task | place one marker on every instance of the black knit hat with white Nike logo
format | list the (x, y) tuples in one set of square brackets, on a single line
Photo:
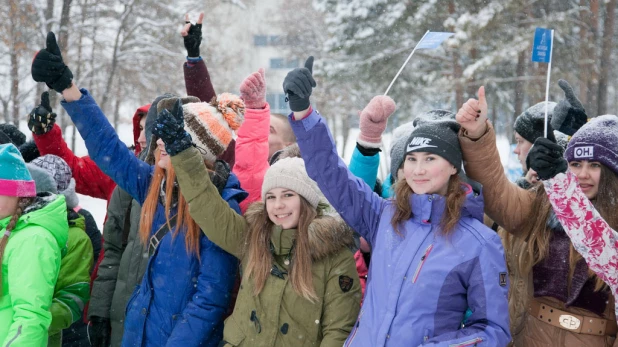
[(437, 137)]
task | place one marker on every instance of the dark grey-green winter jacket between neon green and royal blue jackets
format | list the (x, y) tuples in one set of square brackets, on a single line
[(123, 264)]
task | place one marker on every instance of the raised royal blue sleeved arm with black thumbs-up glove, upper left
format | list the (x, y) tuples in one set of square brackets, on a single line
[(105, 148)]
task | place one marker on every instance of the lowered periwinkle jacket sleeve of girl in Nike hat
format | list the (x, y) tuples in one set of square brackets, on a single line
[(487, 298)]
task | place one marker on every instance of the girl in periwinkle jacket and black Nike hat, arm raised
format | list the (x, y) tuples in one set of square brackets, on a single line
[(432, 257)]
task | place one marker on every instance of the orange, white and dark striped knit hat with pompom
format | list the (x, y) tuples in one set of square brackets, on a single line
[(211, 125)]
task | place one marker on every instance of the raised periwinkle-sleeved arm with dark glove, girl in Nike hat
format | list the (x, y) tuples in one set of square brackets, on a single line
[(349, 195)]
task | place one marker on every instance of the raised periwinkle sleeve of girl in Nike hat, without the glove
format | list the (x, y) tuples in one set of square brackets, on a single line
[(355, 201)]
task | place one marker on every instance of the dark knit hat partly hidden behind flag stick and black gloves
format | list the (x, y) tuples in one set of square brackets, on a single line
[(531, 123)]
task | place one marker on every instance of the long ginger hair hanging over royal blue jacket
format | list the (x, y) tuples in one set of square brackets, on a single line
[(193, 233)]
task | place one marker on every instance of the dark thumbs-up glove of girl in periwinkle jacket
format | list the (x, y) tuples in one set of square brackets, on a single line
[(298, 85)]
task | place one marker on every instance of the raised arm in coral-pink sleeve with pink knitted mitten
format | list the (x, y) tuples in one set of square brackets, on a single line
[(252, 142)]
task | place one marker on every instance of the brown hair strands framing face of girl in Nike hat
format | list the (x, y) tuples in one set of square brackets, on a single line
[(455, 199)]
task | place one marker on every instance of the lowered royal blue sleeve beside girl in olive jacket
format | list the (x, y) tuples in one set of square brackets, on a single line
[(204, 313)]
